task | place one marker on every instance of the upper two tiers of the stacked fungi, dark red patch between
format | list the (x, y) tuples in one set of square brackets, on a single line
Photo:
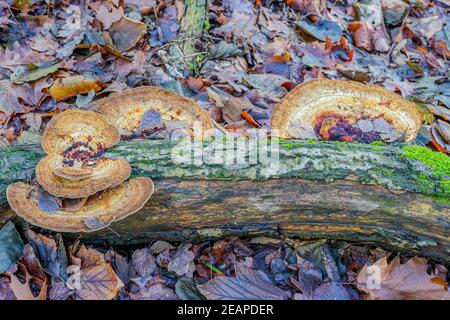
[(75, 141)]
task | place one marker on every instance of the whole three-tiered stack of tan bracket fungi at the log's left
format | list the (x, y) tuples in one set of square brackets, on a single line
[(78, 188)]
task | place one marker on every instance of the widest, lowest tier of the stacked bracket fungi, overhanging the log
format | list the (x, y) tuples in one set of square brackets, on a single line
[(94, 213)]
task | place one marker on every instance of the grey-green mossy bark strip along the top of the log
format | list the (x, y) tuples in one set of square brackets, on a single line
[(411, 168)]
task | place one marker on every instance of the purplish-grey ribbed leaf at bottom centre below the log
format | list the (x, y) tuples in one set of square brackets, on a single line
[(249, 284)]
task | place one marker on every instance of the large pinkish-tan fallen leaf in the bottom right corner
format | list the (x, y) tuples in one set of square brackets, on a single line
[(409, 281)]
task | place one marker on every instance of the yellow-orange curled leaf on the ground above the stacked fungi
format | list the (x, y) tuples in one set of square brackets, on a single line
[(73, 86)]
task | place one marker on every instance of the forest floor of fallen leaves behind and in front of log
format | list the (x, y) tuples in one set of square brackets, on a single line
[(58, 55)]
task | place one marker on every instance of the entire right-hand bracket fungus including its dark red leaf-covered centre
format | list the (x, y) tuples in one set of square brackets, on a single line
[(345, 111)]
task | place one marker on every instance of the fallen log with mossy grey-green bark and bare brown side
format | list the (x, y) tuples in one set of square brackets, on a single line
[(320, 190)]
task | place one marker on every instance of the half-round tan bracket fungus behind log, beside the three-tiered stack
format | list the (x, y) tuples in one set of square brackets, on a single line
[(127, 109)]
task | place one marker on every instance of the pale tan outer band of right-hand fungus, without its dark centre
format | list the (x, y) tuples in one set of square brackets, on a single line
[(308, 103)]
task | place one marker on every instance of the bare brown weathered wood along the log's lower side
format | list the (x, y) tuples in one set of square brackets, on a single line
[(198, 209)]
